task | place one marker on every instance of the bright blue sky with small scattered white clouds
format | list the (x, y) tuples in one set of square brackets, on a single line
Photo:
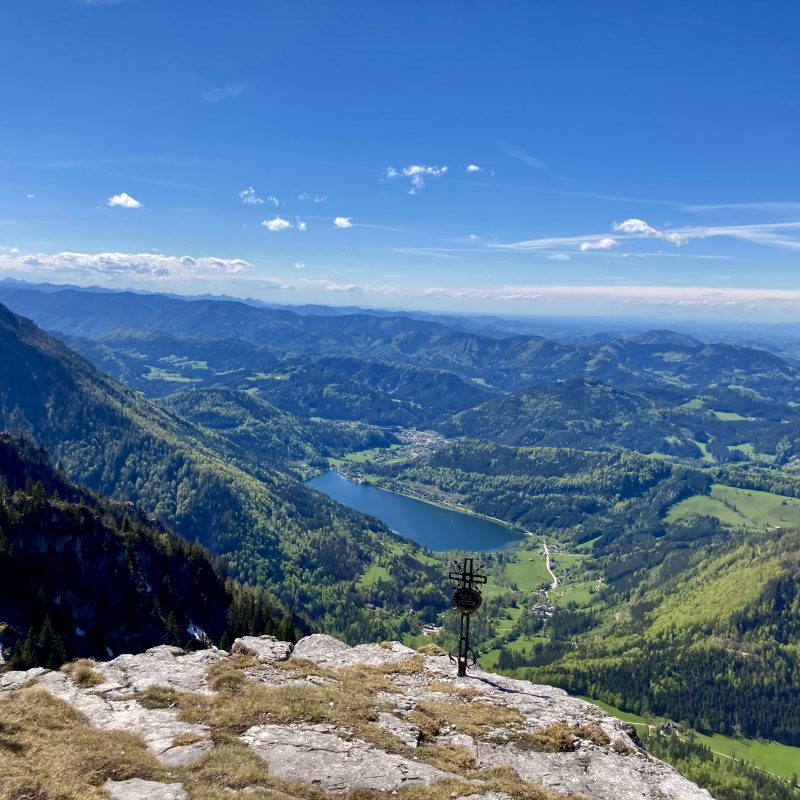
[(538, 157)]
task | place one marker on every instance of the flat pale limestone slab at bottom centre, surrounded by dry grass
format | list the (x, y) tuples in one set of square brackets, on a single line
[(314, 753)]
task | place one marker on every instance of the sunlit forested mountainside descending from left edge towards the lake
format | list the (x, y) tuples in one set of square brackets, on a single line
[(272, 531)]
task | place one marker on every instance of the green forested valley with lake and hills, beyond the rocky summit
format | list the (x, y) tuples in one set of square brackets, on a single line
[(635, 500)]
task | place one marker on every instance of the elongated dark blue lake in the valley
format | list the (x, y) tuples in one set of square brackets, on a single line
[(433, 527)]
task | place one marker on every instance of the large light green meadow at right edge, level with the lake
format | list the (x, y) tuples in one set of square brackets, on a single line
[(748, 507)]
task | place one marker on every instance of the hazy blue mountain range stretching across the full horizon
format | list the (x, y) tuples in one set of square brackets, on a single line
[(655, 359)]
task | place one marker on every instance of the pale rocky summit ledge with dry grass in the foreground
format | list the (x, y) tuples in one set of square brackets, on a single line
[(316, 720)]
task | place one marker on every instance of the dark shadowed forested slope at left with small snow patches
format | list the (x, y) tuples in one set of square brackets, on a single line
[(82, 576)]
